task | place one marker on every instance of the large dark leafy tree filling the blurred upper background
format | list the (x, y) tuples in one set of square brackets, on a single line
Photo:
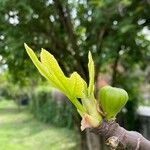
[(112, 30)]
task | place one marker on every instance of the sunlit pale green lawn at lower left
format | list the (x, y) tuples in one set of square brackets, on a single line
[(20, 131)]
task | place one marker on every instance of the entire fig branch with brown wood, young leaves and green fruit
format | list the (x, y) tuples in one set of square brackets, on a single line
[(97, 114)]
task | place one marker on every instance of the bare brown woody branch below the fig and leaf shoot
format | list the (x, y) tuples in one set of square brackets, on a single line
[(118, 137)]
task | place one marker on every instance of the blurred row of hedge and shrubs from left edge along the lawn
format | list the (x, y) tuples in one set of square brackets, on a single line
[(40, 102)]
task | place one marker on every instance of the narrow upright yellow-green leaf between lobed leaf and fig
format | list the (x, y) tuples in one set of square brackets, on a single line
[(91, 75)]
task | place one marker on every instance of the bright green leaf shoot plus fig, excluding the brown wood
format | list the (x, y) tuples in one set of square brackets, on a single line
[(75, 87)]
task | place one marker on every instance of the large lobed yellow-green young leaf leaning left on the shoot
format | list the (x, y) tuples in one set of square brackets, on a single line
[(73, 87)]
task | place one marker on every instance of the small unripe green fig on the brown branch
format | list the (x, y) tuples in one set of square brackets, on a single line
[(112, 100)]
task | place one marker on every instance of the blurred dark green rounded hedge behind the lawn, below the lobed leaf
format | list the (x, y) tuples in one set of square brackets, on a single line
[(49, 110)]
